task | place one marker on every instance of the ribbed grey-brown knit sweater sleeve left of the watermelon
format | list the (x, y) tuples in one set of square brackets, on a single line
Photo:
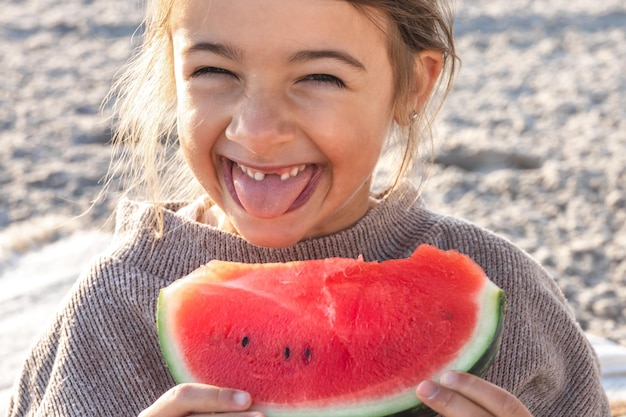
[(101, 356)]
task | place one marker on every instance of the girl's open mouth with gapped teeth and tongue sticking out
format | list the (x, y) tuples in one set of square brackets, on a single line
[(269, 193)]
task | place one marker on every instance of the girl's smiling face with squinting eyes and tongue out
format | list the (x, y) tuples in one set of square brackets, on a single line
[(283, 108)]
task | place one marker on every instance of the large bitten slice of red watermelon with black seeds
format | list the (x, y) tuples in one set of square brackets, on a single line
[(335, 337)]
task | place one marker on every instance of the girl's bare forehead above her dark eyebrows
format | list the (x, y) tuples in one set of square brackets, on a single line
[(262, 24)]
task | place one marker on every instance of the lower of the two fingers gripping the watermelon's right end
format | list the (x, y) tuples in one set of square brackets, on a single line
[(448, 402)]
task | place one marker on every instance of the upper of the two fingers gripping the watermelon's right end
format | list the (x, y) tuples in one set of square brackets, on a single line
[(496, 400)]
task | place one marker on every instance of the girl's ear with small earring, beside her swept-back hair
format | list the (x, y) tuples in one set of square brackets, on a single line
[(427, 68)]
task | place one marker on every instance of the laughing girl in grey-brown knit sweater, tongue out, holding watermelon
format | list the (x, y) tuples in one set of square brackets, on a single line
[(282, 110)]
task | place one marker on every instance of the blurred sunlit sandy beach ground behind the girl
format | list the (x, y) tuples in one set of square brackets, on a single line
[(530, 144)]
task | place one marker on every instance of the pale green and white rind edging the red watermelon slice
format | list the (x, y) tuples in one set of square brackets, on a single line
[(478, 355)]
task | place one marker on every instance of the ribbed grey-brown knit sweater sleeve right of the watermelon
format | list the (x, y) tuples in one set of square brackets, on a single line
[(545, 359)]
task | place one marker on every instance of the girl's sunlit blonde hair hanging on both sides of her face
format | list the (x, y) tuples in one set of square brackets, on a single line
[(146, 152)]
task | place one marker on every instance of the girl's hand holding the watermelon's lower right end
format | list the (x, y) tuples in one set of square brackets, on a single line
[(463, 395)]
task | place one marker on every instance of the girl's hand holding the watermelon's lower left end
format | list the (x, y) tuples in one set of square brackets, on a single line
[(201, 400)]
